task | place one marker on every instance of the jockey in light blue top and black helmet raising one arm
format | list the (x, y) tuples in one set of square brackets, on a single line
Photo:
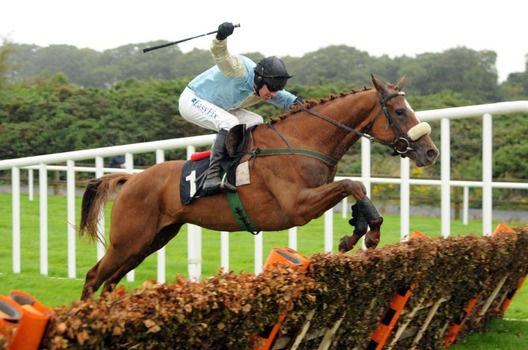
[(216, 99)]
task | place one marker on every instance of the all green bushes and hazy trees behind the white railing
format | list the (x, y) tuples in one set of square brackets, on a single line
[(61, 98)]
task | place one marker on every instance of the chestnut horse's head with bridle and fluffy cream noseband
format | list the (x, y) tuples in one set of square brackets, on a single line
[(399, 127)]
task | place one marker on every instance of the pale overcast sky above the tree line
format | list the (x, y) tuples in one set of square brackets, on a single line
[(395, 28)]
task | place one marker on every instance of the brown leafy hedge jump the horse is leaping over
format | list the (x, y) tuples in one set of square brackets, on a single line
[(352, 291)]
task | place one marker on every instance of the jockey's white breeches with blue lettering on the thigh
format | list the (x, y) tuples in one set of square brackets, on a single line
[(207, 115)]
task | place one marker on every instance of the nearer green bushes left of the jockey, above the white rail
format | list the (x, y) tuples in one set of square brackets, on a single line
[(52, 115)]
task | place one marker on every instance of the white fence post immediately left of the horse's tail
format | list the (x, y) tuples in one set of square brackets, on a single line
[(70, 194)]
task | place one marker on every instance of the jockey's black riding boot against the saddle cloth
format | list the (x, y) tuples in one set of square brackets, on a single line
[(213, 182)]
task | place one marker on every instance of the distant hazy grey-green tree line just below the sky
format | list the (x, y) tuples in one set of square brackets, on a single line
[(462, 70)]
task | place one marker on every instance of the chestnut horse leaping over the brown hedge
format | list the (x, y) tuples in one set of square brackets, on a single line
[(286, 189)]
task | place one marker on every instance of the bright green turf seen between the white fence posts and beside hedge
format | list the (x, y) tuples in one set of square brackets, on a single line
[(55, 289)]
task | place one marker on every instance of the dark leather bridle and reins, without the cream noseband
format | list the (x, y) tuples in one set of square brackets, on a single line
[(402, 143)]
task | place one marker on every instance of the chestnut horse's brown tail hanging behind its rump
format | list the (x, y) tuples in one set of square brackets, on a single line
[(95, 196)]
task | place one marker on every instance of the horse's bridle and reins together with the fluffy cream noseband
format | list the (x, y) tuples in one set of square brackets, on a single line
[(402, 143)]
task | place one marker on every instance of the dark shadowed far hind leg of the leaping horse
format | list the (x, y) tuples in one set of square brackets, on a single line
[(161, 239)]
